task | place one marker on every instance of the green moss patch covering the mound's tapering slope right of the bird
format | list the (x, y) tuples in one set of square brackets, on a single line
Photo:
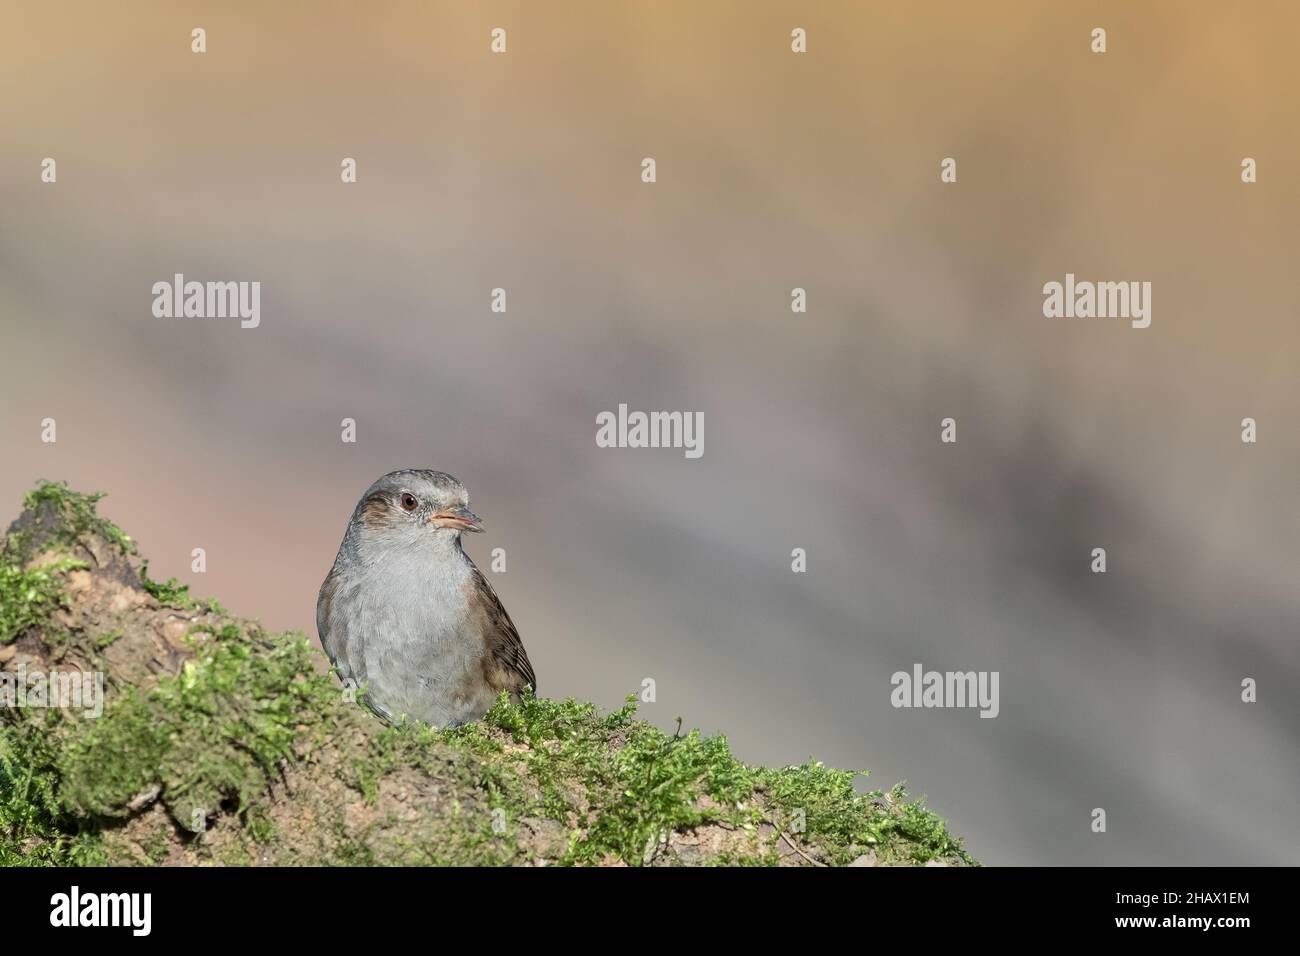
[(622, 785)]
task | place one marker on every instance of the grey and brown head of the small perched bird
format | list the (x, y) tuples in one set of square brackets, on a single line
[(415, 509)]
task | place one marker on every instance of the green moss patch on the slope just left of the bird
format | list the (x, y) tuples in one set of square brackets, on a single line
[(205, 742)]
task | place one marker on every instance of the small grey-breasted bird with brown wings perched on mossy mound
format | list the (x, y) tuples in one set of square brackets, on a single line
[(408, 617)]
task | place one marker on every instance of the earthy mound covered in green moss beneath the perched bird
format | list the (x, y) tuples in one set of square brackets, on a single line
[(219, 743)]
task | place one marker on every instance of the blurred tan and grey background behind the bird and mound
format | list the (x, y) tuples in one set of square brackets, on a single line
[(821, 431)]
